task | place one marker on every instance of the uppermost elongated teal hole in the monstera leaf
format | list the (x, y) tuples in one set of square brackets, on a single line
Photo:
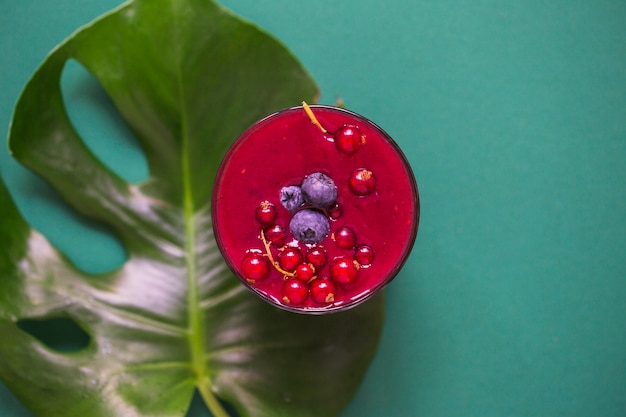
[(100, 125)]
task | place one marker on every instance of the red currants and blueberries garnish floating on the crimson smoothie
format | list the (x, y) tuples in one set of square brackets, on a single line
[(299, 256)]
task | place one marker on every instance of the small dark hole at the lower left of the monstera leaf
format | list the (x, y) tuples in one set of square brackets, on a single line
[(60, 333)]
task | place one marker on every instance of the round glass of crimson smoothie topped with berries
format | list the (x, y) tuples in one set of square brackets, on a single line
[(349, 234)]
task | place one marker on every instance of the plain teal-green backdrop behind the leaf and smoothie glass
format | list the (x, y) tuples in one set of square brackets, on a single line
[(513, 116)]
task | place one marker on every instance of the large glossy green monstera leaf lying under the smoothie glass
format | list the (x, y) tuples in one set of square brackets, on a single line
[(188, 78)]
